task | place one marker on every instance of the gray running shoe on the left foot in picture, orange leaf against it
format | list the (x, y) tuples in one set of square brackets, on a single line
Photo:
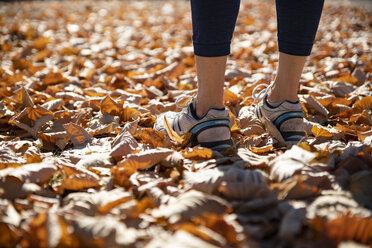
[(211, 131)]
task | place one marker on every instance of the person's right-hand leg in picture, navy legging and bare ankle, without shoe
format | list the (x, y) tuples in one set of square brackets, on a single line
[(298, 22)]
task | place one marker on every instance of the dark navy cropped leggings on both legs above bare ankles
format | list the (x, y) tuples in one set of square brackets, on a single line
[(214, 21)]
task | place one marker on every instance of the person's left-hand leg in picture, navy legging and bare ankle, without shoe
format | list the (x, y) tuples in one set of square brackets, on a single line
[(213, 26)]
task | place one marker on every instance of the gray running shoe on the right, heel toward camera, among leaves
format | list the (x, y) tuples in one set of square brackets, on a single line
[(284, 122)]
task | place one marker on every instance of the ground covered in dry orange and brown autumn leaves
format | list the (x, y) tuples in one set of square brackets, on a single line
[(81, 84)]
